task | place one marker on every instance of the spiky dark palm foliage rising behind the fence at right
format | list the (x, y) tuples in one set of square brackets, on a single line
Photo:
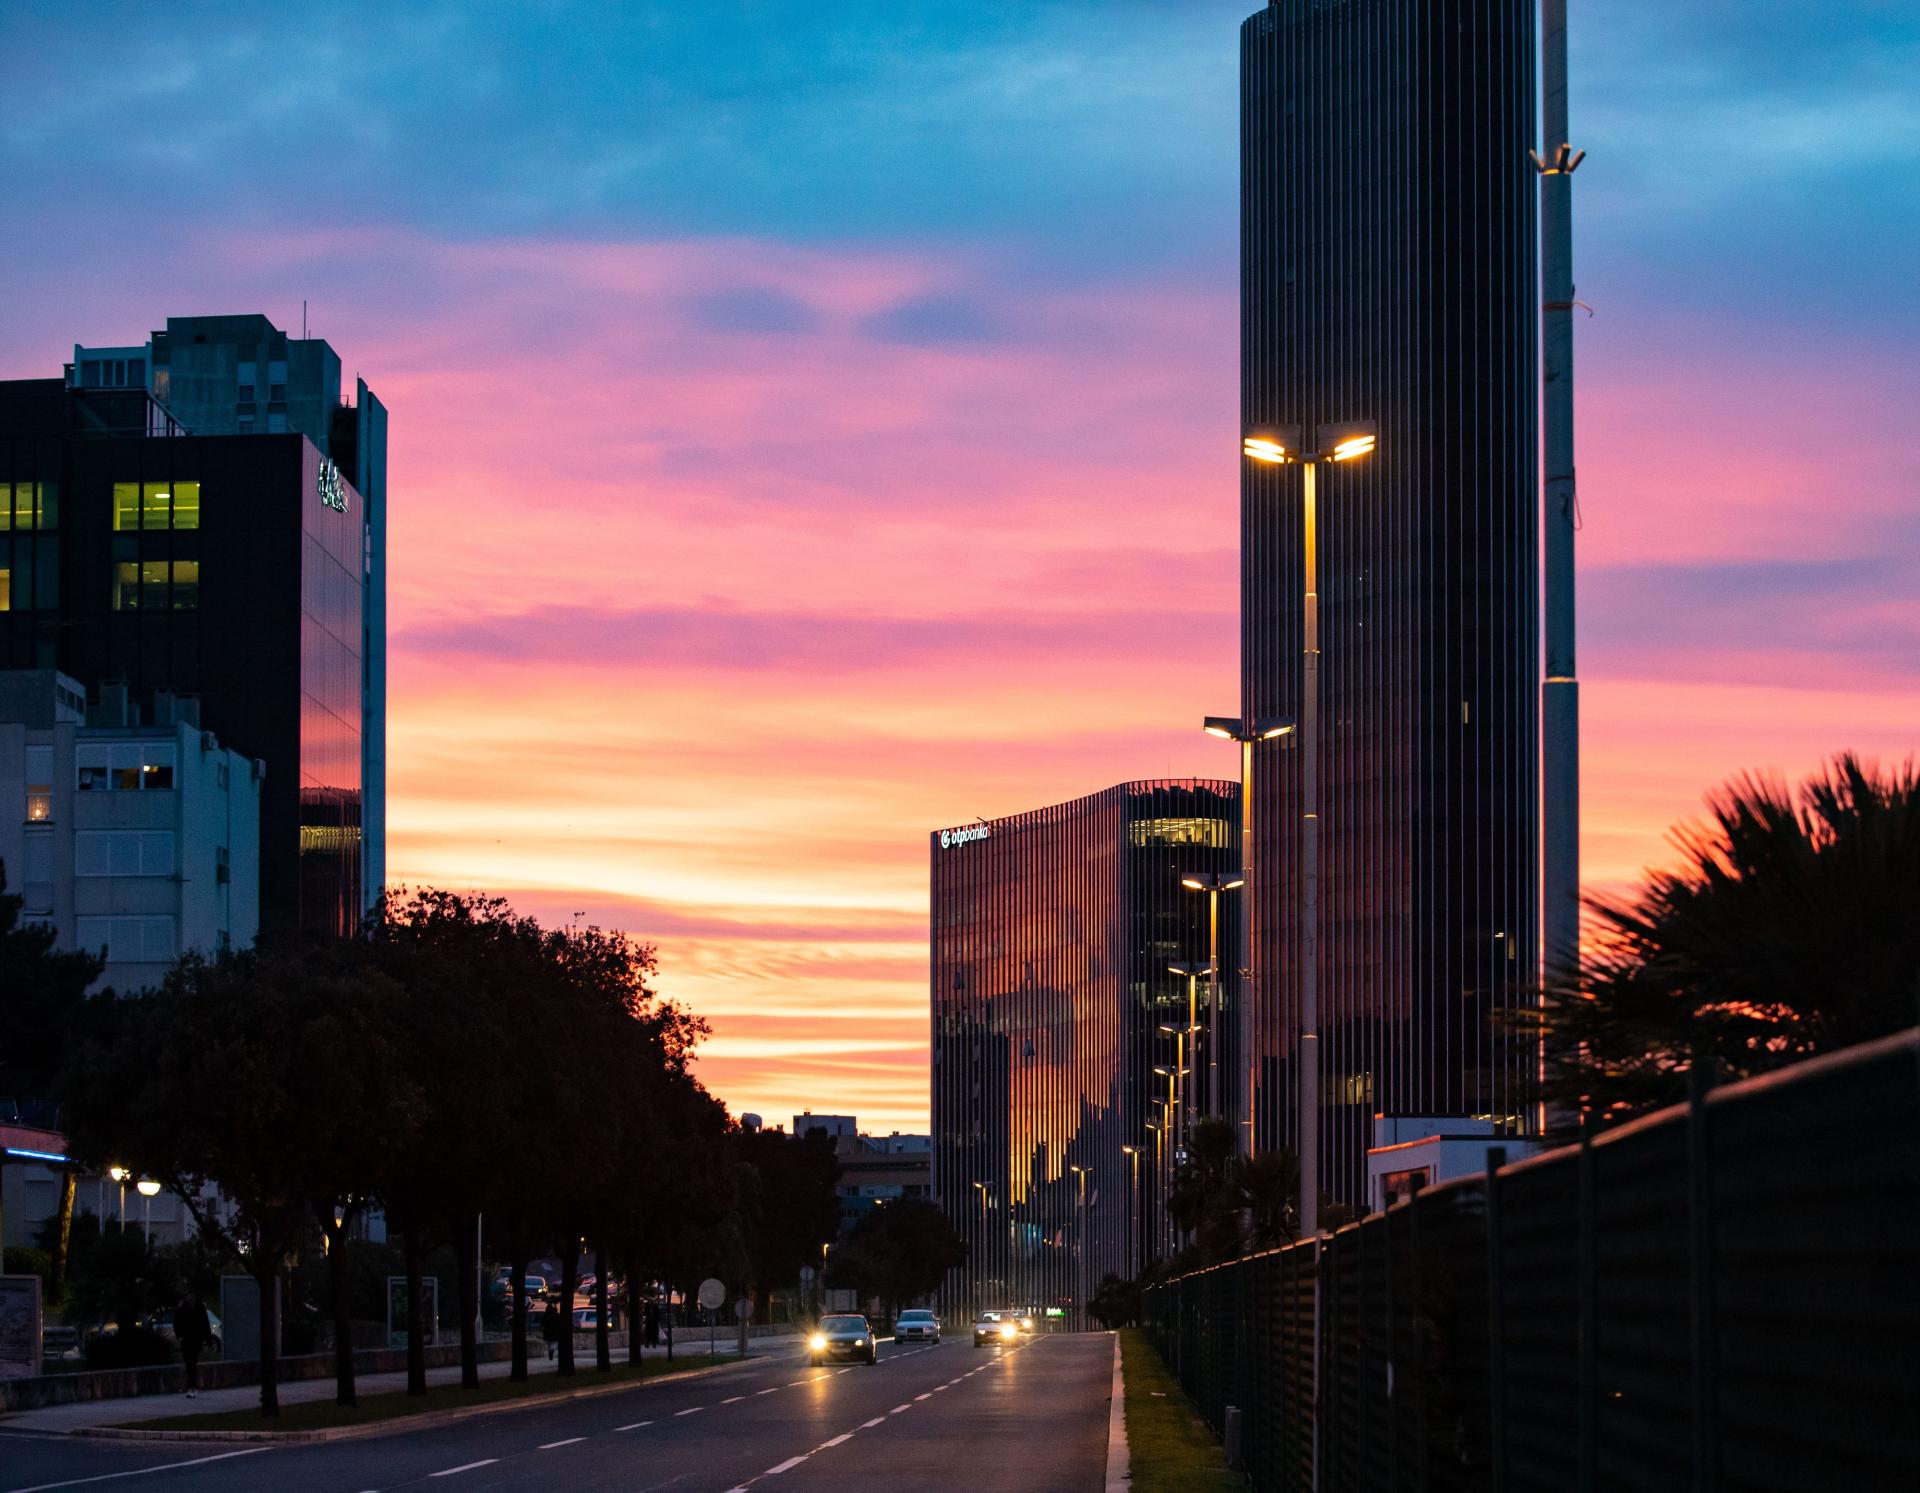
[(1788, 930)]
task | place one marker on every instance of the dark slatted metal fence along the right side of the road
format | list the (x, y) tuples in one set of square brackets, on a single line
[(1719, 1296)]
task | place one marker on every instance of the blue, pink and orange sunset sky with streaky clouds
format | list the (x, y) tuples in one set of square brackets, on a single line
[(817, 423)]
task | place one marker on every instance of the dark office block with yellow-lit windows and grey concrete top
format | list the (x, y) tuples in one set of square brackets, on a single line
[(204, 515)]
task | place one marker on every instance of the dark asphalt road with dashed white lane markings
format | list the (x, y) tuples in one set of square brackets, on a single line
[(990, 1421)]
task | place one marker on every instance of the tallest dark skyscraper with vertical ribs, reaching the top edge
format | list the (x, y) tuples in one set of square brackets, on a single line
[(1387, 275)]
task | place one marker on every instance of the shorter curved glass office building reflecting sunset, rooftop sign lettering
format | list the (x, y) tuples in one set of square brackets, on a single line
[(1051, 943)]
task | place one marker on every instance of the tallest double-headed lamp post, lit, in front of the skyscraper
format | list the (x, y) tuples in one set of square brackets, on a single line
[(1276, 448)]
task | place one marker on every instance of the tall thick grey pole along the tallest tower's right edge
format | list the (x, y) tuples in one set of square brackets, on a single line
[(1560, 692)]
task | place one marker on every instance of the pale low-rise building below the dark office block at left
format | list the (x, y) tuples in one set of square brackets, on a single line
[(132, 836)]
